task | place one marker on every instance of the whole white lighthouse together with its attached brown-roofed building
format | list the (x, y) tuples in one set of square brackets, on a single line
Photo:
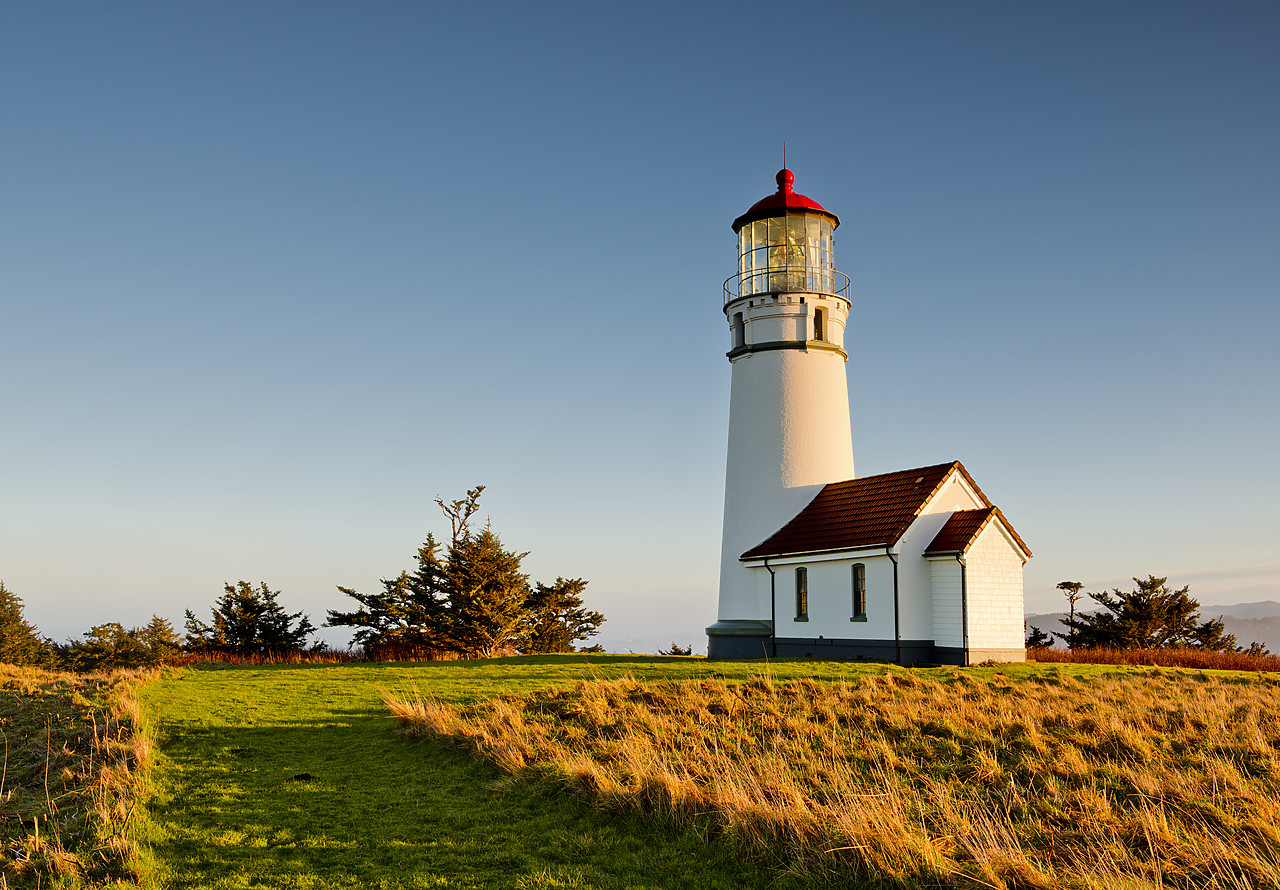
[(915, 567)]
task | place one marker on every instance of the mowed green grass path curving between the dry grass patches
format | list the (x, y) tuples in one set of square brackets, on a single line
[(298, 777)]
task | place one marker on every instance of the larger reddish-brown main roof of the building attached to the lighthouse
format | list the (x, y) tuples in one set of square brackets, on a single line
[(872, 512)]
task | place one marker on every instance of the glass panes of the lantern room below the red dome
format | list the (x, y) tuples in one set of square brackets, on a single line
[(787, 254)]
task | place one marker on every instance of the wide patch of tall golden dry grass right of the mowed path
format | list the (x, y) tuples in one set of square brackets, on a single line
[(1158, 779)]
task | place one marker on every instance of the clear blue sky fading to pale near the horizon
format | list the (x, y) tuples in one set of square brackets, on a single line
[(275, 276)]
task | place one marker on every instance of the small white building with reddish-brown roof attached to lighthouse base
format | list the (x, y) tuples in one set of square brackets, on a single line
[(915, 567)]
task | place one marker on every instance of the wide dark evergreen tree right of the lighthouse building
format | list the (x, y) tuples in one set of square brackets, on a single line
[(1150, 617)]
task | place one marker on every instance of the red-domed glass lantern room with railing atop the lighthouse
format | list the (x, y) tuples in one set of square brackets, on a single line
[(787, 245)]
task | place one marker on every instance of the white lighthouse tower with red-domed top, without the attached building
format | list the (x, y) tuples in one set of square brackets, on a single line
[(789, 431)]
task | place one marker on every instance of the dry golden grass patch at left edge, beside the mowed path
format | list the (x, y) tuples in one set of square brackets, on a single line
[(74, 772)]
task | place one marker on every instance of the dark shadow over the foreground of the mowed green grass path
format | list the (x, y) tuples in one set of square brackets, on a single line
[(345, 801)]
